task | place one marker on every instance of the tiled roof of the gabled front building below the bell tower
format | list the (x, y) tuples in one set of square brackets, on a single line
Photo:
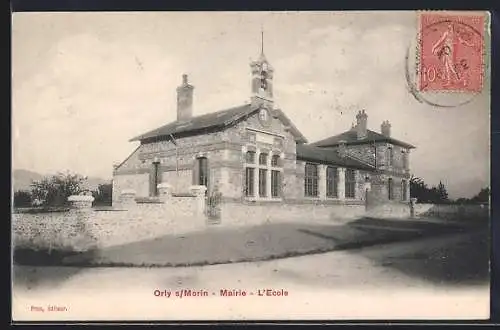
[(224, 118)]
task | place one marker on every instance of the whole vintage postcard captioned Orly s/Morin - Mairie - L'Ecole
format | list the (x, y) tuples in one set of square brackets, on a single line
[(197, 166)]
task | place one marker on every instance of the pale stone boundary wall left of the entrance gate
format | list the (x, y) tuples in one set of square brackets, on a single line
[(84, 229)]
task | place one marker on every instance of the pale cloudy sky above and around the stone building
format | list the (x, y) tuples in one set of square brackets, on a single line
[(85, 83)]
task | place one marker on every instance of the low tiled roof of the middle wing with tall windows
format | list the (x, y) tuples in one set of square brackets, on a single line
[(329, 156)]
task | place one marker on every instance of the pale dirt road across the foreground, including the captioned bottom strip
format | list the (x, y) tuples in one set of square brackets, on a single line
[(443, 277)]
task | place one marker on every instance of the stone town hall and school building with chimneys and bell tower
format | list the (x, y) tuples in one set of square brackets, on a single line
[(253, 154)]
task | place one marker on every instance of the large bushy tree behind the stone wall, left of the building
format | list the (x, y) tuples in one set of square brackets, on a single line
[(55, 190)]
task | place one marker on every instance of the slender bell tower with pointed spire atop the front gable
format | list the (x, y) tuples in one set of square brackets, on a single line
[(262, 79)]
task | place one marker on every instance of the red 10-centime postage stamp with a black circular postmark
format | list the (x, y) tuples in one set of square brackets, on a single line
[(451, 52)]
